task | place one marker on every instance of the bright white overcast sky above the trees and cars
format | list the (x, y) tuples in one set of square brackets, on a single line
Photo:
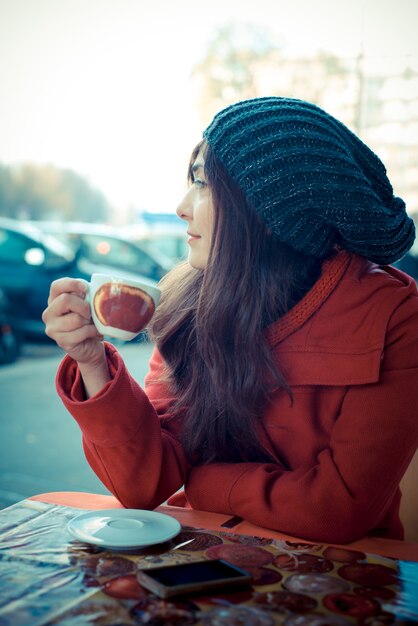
[(103, 86)]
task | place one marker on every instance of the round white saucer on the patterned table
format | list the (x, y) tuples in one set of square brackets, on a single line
[(123, 529)]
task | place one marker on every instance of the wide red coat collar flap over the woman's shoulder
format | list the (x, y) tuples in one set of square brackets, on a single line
[(336, 334)]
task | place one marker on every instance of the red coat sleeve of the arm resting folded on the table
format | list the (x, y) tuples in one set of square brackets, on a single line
[(355, 481)]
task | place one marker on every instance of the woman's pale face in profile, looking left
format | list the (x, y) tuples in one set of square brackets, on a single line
[(196, 209)]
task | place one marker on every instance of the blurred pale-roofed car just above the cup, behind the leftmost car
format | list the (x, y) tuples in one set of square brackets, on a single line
[(106, 245)]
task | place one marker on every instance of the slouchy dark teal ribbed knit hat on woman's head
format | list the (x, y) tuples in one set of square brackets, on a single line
[(313, 182)]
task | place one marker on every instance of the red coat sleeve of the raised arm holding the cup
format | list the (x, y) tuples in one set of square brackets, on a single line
[(130, 438)]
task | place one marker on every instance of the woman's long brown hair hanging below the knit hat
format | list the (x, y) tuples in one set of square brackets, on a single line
[(209, 326)]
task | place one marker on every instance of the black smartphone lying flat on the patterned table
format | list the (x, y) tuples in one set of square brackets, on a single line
[(199, 576)]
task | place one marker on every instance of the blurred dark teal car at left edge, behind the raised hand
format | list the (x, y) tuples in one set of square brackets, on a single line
[(29, 261)]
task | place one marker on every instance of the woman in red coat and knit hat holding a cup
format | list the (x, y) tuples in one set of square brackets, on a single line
[(282, 388)]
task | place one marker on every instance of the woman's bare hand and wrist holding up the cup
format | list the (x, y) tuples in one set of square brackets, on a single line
[(68, 322)]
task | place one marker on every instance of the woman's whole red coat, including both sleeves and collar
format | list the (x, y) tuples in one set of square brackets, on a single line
[(349, 350)]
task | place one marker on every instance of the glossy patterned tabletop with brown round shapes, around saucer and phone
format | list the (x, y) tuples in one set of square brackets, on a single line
[(48, 578)]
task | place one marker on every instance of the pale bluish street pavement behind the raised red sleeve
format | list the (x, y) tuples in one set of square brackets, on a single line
[(40, 443)]
